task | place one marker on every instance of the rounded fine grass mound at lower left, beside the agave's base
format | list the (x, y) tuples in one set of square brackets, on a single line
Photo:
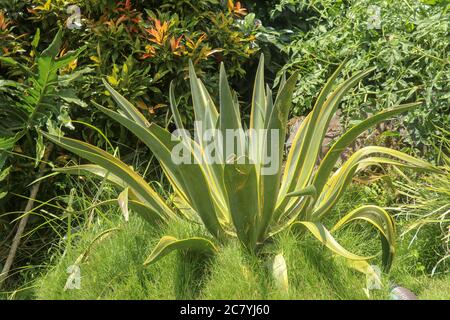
[(113, 268)]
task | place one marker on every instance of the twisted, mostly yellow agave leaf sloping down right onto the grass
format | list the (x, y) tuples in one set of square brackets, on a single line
[(321, 233)]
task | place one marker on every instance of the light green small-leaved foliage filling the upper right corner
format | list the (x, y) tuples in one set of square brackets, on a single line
[(406, 44)]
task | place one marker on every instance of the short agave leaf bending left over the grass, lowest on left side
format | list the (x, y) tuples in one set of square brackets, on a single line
[(168, 244)]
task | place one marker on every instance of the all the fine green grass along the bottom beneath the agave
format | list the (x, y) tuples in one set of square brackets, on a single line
[(113, 266)]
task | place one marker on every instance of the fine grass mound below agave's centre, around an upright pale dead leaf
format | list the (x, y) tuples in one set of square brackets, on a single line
[(312, 272)]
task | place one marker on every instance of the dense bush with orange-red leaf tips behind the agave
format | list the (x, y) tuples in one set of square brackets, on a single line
[(140, 46)]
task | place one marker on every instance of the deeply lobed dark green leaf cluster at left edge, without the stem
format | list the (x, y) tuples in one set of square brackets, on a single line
[(38, 100)]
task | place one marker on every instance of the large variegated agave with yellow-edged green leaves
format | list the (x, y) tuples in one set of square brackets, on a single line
[(235, 198)]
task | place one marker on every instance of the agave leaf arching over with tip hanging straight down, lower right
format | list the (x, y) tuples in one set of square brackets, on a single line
[(379, 218)]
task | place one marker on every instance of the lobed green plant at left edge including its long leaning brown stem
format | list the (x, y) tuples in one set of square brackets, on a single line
[(39, 99)]
